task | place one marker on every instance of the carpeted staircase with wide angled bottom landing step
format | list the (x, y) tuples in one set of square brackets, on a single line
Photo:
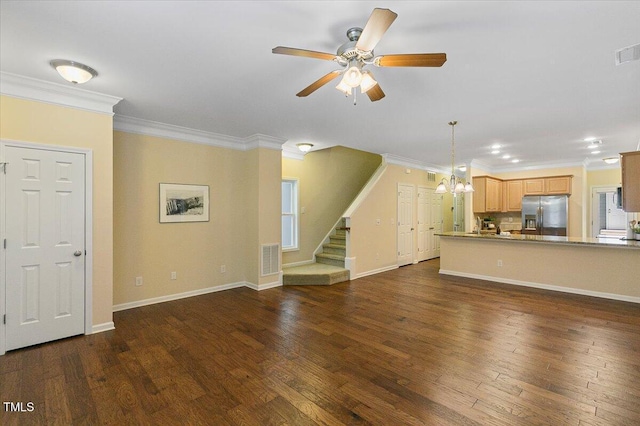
[(329, 267)]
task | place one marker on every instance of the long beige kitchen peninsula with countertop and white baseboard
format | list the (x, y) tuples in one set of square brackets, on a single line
[(600, 267)]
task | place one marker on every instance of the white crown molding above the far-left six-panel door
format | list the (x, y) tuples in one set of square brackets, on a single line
[(22, 87)]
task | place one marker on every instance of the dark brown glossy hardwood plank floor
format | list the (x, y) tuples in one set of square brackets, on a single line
[(405, 347)]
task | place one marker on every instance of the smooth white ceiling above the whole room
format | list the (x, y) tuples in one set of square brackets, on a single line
[(537, 77)]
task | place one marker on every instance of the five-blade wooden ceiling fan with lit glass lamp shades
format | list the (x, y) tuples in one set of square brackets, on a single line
[(354, 55)]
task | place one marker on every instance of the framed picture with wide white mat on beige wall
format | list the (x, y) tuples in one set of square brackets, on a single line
[(184, 203)]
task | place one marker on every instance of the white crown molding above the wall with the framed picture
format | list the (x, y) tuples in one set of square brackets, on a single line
[(169, 131)]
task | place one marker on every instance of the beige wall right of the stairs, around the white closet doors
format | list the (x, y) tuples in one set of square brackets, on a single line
[(375, 246)]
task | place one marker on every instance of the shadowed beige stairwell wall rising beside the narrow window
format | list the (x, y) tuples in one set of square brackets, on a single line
[(329, 180)]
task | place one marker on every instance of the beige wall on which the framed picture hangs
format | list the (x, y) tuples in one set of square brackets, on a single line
[(243, 215)]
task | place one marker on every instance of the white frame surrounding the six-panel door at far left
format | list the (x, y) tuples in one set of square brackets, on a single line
[(88, 272)]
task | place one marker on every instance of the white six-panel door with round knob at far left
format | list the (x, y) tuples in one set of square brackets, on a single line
[(45, 245)]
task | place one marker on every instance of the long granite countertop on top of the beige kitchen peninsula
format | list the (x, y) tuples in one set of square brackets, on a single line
[(601, 242)]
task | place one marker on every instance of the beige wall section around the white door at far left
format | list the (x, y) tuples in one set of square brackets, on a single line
[(42, 123)]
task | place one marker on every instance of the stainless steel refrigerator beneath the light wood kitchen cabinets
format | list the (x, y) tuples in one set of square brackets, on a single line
[(545, 215)]
